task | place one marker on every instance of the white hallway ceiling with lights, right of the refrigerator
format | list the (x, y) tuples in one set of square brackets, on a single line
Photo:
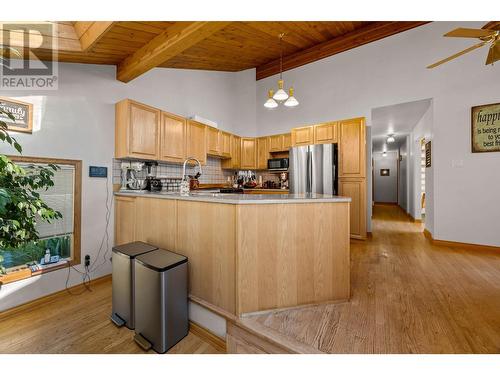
[(397, 119)]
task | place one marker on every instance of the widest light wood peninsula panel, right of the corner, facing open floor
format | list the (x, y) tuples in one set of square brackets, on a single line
[(291, 254)]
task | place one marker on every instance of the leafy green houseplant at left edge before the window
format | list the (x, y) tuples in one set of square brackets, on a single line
[(20, 202)]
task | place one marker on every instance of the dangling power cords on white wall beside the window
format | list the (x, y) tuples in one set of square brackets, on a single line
[(92, 267)]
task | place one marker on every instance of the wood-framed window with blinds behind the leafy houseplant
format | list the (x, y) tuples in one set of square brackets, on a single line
[(61, 237)]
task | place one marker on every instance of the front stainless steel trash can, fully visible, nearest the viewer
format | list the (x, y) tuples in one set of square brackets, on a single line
[(161, 305)]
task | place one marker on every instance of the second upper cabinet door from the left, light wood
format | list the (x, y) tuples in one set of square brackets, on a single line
[(172, 138)]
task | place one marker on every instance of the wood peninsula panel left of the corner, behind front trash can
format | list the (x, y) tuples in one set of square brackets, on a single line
[(206, 235)]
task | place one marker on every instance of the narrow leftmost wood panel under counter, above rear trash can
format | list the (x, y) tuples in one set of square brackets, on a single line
[(125, 220)]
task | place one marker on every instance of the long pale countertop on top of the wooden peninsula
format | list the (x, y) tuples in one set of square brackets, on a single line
[(213, 197)]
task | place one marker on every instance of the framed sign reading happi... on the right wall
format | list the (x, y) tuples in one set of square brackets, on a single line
[(485, 131)]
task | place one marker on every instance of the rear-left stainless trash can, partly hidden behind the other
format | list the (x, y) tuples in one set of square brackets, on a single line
[(123, 260)]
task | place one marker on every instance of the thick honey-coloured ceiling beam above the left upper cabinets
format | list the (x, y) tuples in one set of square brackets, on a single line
[(165, 46)]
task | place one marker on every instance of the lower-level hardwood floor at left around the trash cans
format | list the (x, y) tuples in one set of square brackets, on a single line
[(79, 324)]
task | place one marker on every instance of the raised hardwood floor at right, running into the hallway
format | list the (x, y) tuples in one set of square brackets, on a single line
[(408, 296)]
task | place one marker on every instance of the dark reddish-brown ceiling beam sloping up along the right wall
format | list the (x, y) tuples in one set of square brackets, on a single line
[(356, 38)]
